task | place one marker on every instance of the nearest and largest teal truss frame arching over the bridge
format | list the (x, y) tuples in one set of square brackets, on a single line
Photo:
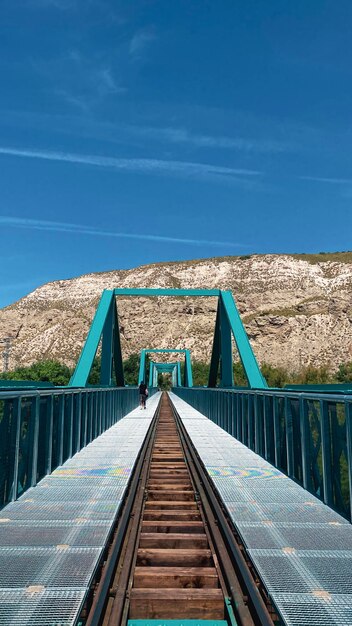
[(228, 324)]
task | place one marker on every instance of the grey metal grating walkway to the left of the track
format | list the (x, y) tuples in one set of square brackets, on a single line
[(52, 537)]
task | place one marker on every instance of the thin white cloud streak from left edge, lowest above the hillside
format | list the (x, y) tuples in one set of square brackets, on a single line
[(80, 229)]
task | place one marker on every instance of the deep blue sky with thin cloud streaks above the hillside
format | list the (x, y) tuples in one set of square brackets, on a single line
[(140, 131)]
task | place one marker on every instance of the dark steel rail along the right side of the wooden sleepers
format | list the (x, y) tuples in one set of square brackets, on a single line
[(242, 586)]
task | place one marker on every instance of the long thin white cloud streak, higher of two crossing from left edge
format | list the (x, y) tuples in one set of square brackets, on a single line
[(145, 166)]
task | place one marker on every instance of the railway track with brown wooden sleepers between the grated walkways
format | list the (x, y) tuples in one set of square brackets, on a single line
[(173, 555)]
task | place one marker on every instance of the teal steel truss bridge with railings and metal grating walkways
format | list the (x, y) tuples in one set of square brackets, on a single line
[(279, 462)]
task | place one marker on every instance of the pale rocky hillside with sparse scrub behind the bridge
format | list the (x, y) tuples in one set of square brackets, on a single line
[(297, 310)]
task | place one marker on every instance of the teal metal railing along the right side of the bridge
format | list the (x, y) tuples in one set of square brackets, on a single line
[(306, 435)]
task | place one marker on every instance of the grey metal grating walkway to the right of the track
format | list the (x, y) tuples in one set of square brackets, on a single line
[(301, 548)]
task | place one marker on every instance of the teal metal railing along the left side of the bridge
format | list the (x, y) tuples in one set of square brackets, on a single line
[(41, 428)]
